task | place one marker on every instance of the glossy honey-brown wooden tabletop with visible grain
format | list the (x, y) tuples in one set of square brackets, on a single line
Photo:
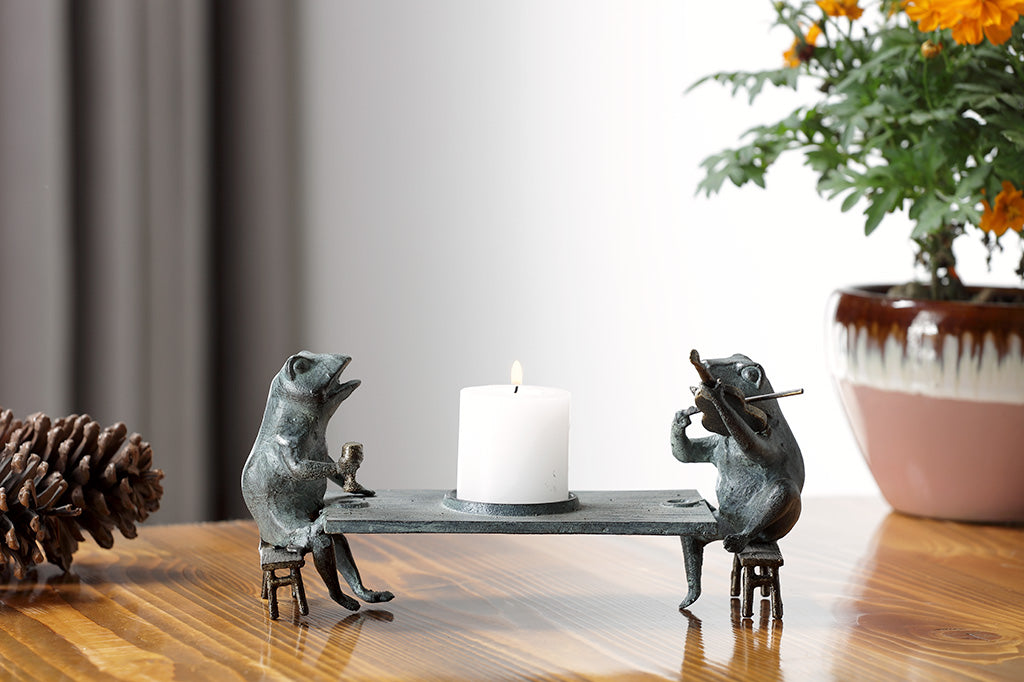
[(869, 594)]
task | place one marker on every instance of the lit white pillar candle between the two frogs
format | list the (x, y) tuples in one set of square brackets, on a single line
[(514, 444)]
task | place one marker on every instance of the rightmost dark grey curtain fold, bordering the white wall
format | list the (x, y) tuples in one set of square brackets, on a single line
[(257, 224)]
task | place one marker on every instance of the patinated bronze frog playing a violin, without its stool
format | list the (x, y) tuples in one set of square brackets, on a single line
[(760, 467)]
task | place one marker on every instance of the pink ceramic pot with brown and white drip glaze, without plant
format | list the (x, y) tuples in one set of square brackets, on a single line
[(934, 393)]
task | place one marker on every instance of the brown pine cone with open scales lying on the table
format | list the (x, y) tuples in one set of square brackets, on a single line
[(70, 476)]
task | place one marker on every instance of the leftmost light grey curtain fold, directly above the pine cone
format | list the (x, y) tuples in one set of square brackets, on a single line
[(35, 251)]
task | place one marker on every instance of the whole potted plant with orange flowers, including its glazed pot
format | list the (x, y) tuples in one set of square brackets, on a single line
[(921, 110)]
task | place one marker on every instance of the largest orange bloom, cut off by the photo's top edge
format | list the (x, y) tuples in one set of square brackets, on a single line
[(970, 21)]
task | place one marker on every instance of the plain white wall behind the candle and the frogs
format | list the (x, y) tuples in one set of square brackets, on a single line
[(498, 181)]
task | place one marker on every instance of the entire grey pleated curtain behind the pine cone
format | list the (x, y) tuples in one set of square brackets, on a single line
[(148, 183)]
